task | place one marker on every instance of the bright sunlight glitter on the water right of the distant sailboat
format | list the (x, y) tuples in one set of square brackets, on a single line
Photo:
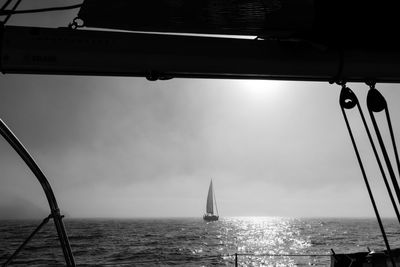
[(266, 235)]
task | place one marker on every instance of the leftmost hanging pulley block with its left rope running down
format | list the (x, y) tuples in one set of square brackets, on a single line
[(348, 100)]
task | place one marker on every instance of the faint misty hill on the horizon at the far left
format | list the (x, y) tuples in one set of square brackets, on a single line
[(20, 208)]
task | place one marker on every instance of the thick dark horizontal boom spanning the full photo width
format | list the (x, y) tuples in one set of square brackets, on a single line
[(62, 51)]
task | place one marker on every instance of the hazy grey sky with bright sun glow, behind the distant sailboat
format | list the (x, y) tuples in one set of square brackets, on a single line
[(127, 147)]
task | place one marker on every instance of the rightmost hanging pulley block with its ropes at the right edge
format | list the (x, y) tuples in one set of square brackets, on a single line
[(376, 103)]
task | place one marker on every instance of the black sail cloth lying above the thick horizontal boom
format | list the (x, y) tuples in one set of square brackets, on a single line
[(349, 23)]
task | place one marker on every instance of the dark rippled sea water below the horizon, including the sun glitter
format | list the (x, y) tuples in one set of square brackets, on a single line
[(193, 242)]
